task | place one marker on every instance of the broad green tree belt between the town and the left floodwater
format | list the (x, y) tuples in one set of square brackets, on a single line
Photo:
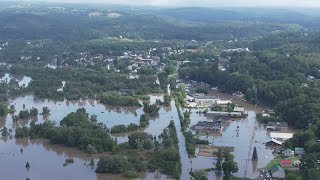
[(84, 83)]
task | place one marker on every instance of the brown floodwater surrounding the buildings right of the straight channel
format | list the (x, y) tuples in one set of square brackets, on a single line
[(251, 134)]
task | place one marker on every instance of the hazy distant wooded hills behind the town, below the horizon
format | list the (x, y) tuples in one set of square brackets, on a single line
[(132, 25)]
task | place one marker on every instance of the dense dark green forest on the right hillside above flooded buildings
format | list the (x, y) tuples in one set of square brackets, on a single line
[(283, 73)]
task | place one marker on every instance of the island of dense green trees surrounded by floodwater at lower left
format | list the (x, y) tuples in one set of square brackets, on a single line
[(75, 130)]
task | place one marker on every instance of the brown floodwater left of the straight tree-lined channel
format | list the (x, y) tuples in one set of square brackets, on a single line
[(47, 160)]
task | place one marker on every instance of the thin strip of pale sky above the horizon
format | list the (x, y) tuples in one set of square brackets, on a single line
[(204, 3)]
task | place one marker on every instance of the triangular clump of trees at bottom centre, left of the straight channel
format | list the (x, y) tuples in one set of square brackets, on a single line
[(163, 155)]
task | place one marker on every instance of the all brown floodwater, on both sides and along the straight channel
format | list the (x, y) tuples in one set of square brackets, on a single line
[(47, 160)]
